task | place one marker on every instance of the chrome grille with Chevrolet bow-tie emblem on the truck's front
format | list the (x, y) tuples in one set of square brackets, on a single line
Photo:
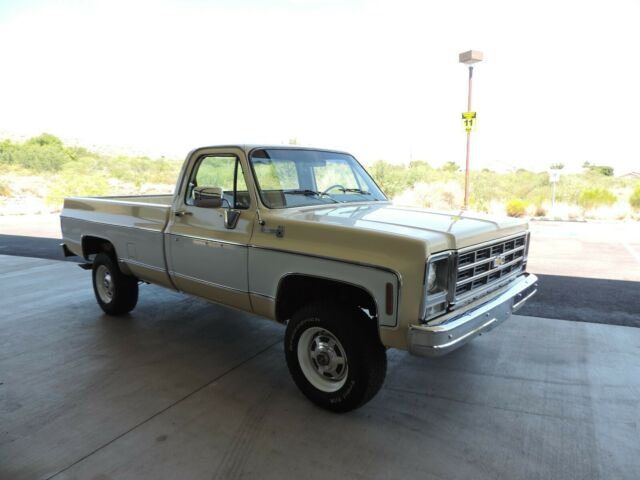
[(481, 267)]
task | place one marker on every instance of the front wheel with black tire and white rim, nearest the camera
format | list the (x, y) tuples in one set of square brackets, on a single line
[(335, 356)]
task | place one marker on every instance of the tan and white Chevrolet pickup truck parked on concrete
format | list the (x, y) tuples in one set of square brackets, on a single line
[(306, 238)]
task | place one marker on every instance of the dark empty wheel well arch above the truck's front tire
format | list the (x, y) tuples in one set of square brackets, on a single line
[(296, 291)]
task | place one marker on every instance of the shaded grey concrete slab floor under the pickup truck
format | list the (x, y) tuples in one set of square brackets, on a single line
[(185, 389)]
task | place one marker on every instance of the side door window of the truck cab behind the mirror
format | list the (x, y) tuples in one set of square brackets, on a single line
[(222, 171)]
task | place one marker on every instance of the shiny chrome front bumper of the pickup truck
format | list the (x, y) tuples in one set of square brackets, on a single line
[(436, 340)]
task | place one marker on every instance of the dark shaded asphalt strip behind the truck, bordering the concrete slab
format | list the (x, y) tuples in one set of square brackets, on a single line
[(614, 302)]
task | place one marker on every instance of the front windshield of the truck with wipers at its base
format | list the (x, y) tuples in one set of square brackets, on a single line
[(293, 178)]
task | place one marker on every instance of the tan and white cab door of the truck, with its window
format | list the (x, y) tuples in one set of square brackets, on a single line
[(207, 255)]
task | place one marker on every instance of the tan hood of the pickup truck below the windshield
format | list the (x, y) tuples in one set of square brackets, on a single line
[(439, 230)]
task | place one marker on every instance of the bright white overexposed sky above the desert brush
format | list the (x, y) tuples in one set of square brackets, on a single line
[(380, 79)]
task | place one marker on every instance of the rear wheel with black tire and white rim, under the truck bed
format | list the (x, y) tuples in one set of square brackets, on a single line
[(115, 292)]
